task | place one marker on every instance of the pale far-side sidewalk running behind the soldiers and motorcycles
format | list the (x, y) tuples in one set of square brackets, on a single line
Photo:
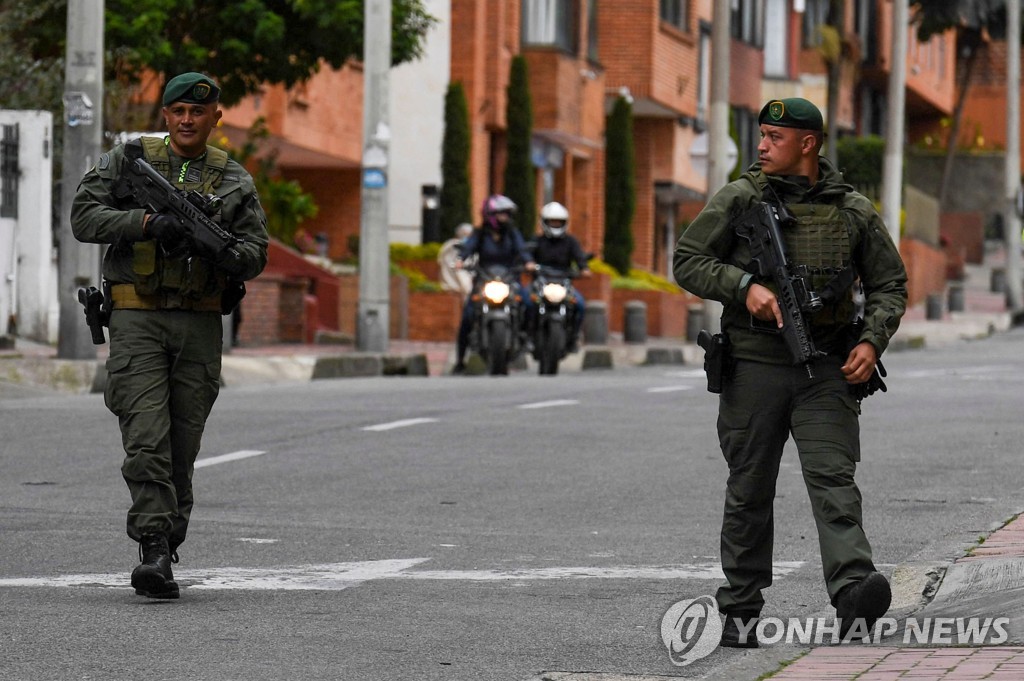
[(31, 368)]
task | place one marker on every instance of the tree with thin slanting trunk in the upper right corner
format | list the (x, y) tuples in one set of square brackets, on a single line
[(972, 20)]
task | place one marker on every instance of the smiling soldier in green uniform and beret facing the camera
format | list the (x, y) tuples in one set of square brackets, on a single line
[(165, 323)]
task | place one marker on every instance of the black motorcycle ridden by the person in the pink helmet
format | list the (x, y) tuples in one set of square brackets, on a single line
[(497, 334)]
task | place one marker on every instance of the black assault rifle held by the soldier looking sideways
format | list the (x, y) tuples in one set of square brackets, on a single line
[(762, 228)]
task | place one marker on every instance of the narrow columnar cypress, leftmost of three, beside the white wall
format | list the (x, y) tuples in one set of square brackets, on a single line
[(455, 162)]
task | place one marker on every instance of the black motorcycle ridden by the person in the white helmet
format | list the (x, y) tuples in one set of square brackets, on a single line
[(556, 308)]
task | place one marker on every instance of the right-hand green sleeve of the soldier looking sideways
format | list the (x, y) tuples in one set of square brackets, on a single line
[(884, 278)]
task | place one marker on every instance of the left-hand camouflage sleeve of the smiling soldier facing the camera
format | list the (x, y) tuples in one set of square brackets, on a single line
[(95, 216)]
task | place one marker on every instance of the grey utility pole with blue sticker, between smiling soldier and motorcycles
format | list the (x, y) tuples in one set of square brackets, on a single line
[(373, 325)]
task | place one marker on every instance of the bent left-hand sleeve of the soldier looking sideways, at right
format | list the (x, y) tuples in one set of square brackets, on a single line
[(701, 264)]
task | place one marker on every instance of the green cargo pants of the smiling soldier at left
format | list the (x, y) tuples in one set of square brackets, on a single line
[(163, 379)]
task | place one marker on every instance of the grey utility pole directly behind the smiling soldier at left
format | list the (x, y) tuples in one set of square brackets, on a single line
[(78, 265)]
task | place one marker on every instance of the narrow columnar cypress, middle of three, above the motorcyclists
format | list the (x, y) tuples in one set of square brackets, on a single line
[(521, 179)]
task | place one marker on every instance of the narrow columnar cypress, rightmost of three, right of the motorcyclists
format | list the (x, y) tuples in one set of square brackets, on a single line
[(620, 188)]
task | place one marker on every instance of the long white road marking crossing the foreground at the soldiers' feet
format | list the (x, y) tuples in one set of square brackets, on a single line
[(335, 577)]
